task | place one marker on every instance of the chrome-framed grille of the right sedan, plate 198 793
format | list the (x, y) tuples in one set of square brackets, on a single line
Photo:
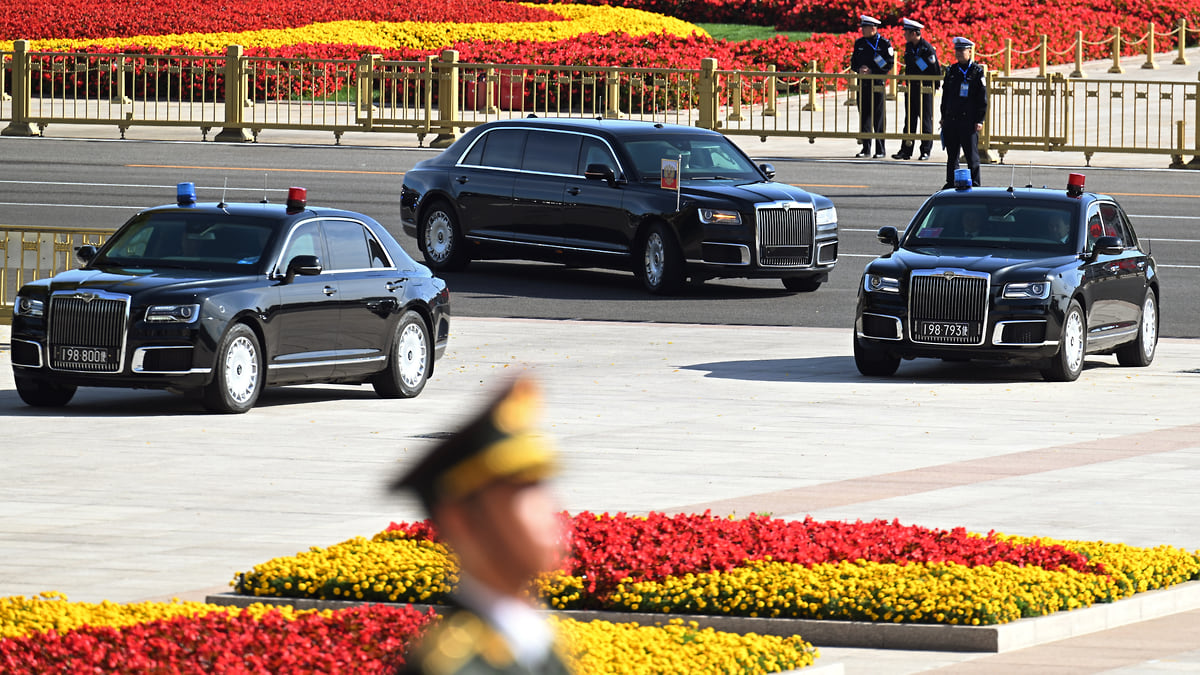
[(943, 304)]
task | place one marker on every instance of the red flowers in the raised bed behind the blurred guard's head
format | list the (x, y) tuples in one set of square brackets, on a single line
[(608, 549)]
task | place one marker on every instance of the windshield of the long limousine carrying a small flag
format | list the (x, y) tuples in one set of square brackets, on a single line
[(701, 158)]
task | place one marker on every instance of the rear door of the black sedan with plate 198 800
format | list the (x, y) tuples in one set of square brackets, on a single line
[(368, 290)]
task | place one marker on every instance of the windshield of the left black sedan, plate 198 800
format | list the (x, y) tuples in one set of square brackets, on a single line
[(189, 241)]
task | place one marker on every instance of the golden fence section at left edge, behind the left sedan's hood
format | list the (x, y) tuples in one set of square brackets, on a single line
[(35, 253)]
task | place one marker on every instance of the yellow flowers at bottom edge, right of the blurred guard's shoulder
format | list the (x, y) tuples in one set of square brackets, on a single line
[(602, 648)]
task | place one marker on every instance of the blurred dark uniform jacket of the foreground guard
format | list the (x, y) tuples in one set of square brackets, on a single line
[(465, 644)]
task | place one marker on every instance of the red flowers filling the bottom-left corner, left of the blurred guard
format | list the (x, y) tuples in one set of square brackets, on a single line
[(363, 641)]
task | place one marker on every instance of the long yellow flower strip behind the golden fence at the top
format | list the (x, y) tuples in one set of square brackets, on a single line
[(416, 35)]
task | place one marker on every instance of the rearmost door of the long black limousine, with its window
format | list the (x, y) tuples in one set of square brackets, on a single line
[(483, 183)]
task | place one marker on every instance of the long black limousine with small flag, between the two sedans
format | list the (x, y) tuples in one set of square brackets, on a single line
[(667, 202)]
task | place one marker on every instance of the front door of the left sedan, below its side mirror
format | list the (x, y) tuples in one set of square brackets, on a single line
[(303, 327)]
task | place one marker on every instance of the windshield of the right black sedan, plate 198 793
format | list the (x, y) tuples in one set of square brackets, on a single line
[(1001, 223)]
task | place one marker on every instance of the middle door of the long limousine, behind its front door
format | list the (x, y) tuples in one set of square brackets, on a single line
[(550, 158)]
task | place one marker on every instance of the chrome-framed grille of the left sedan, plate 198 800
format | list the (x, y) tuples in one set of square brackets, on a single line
[(82, 321)]
